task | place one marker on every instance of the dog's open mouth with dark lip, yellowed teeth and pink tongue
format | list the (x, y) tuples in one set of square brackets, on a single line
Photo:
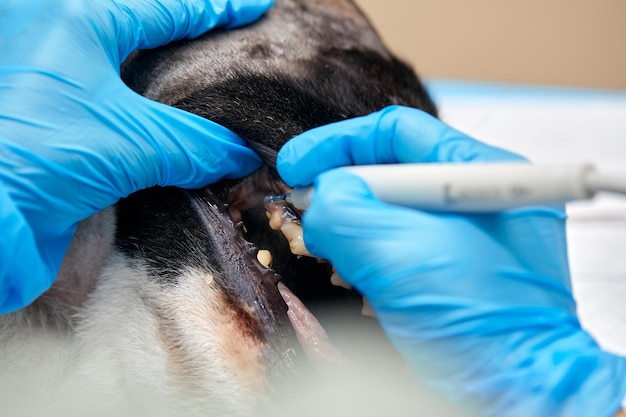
[(270, 272)]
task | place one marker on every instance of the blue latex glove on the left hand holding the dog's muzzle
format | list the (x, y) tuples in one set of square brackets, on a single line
[(74, 138)]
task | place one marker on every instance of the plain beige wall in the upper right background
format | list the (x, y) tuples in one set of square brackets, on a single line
[(547, 42)]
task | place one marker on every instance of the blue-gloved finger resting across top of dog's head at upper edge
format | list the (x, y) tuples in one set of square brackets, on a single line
[(144, 24)]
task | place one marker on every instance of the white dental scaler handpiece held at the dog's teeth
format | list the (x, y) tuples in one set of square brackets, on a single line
[(475, 187)]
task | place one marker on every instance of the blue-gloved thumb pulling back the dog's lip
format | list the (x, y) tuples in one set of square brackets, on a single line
[(176, 148)]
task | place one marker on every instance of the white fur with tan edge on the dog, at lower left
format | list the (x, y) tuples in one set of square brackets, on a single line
[(118, 358)]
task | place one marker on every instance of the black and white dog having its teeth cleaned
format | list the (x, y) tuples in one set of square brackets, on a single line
[(161, 306)]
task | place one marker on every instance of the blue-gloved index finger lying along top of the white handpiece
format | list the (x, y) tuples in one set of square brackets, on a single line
[(393, 135)]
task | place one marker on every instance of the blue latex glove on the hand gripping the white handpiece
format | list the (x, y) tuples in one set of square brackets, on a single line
[(479, 305)]
